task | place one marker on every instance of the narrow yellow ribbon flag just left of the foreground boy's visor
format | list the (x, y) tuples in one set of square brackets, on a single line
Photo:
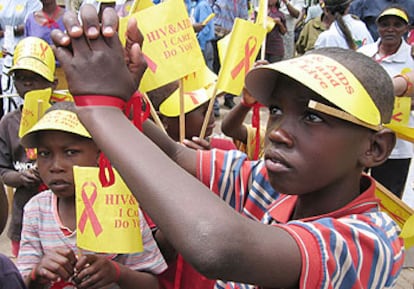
[(244, 44)]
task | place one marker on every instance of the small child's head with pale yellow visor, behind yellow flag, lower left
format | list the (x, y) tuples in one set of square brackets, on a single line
[(61, 142)]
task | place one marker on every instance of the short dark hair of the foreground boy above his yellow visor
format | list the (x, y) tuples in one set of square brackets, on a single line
[(370, 74)]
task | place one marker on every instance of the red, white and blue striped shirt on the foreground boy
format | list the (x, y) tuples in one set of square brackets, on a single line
[(356, 246)]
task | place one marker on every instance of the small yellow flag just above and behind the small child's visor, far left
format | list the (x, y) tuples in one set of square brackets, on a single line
[(35, 104)]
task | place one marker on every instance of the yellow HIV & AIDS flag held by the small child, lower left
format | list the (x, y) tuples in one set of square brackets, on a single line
[(107, 218)]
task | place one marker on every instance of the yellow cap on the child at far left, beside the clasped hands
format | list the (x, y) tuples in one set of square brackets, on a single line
[(34, 54)]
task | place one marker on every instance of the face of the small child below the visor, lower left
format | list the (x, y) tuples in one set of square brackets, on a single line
[(57, 153)]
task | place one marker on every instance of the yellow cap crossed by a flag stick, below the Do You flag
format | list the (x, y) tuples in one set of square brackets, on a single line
[(171, 106)]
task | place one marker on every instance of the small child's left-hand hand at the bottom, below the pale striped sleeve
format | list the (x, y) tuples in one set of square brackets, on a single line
[(55, 266)]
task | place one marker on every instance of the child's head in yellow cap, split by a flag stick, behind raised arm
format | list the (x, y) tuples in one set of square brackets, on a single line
[(195, 109)]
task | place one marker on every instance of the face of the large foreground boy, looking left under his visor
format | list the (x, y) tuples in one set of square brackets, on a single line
[(307, 151)]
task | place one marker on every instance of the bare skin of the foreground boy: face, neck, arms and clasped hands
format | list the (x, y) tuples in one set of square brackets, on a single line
[(207, 232)]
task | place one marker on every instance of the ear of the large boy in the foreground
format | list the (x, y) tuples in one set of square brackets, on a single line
[(381, 145)]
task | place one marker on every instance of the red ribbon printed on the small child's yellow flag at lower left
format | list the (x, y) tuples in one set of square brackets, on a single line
[(88, 212)]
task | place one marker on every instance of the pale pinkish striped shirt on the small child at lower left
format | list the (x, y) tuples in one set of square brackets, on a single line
[(43, 231)]
